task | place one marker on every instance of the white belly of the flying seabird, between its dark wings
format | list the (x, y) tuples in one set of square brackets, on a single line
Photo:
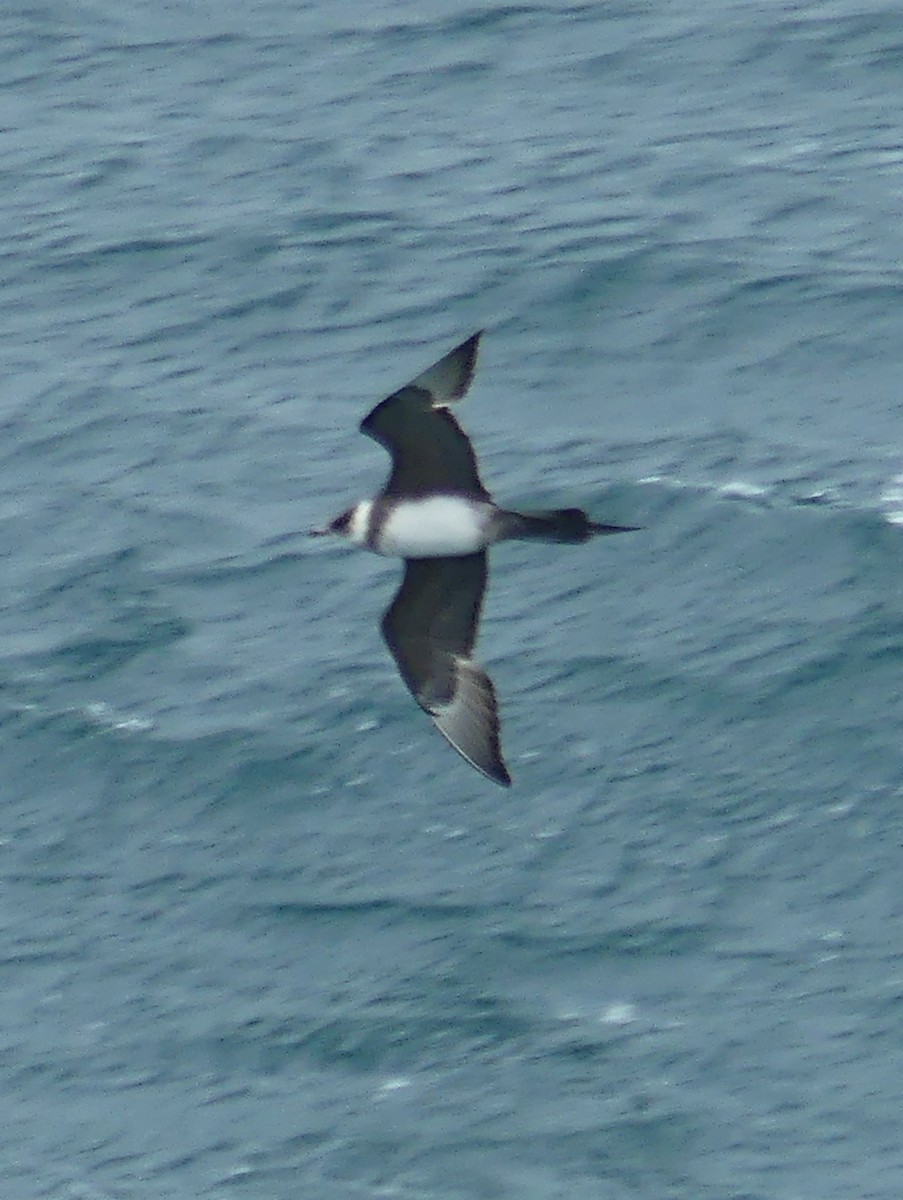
[(436, 527)]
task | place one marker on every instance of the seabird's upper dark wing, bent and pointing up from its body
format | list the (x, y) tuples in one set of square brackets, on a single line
[(429, 449)]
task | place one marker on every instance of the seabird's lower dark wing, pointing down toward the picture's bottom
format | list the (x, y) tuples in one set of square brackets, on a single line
[(430, 629)]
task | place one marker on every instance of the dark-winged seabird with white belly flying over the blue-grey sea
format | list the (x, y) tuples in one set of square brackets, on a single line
[(436, 514)]
